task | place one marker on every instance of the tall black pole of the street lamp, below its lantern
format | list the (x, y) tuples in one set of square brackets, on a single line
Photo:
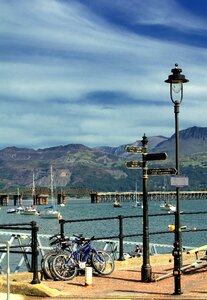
[(177, 252)]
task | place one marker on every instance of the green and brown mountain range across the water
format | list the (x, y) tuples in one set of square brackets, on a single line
[(103, 168)]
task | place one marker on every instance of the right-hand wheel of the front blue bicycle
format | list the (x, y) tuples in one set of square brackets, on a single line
[(102, 262)]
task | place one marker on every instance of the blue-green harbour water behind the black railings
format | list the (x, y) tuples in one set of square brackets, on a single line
[(83, 209)]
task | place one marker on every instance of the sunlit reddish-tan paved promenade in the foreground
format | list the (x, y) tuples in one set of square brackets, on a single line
[(124, 283)]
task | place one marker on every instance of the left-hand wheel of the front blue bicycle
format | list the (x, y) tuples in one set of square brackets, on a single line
[(64, 268)]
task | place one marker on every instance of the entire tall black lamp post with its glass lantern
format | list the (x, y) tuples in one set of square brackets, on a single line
[(176, 80)]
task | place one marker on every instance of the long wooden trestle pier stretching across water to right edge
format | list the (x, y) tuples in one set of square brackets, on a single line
[(100, 197)]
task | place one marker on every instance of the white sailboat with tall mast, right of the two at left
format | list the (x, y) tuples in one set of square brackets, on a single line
[(51, 212)]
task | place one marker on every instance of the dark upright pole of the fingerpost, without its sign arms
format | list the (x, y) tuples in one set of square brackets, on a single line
[(146, 271)]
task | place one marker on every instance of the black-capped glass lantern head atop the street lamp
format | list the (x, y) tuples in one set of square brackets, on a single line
[(176, 80)]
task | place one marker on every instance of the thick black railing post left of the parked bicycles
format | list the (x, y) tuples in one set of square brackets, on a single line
[(35, 253)]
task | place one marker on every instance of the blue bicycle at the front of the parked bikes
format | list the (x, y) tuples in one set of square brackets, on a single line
[(66, 265)]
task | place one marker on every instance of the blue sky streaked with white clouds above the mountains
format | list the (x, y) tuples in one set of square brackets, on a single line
[(93, 71)]
